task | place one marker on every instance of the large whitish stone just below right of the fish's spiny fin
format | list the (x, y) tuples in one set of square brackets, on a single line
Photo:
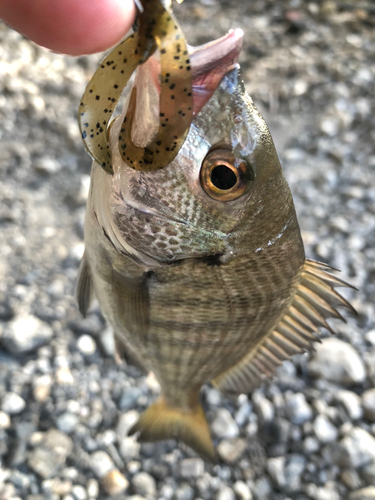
[(338, 362)]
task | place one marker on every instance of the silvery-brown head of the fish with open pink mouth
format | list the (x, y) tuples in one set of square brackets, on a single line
[(224, 194)]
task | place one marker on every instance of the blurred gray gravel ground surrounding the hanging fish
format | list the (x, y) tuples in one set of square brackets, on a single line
[(65, 405)]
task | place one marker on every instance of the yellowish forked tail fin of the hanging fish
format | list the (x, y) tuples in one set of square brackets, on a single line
[(161, 421)]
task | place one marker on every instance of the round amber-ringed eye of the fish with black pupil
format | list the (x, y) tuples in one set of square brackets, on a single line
[(224, 177)]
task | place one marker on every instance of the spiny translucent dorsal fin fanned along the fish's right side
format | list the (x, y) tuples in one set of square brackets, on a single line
[(315, 300)]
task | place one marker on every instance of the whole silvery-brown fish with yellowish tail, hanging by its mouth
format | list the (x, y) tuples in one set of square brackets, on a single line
[(199, 266)]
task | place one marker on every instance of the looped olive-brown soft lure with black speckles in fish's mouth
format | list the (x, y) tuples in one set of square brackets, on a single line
[(158, 29)]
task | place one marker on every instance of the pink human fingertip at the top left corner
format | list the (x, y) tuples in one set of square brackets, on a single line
[(72, 27)]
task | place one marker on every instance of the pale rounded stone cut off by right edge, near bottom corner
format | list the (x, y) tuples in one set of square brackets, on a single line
[(356, 449)]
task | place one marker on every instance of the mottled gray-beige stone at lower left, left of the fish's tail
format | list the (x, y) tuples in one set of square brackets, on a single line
[(51, 453)]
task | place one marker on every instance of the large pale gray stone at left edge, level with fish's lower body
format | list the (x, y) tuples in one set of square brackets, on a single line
[(26, 333)]
